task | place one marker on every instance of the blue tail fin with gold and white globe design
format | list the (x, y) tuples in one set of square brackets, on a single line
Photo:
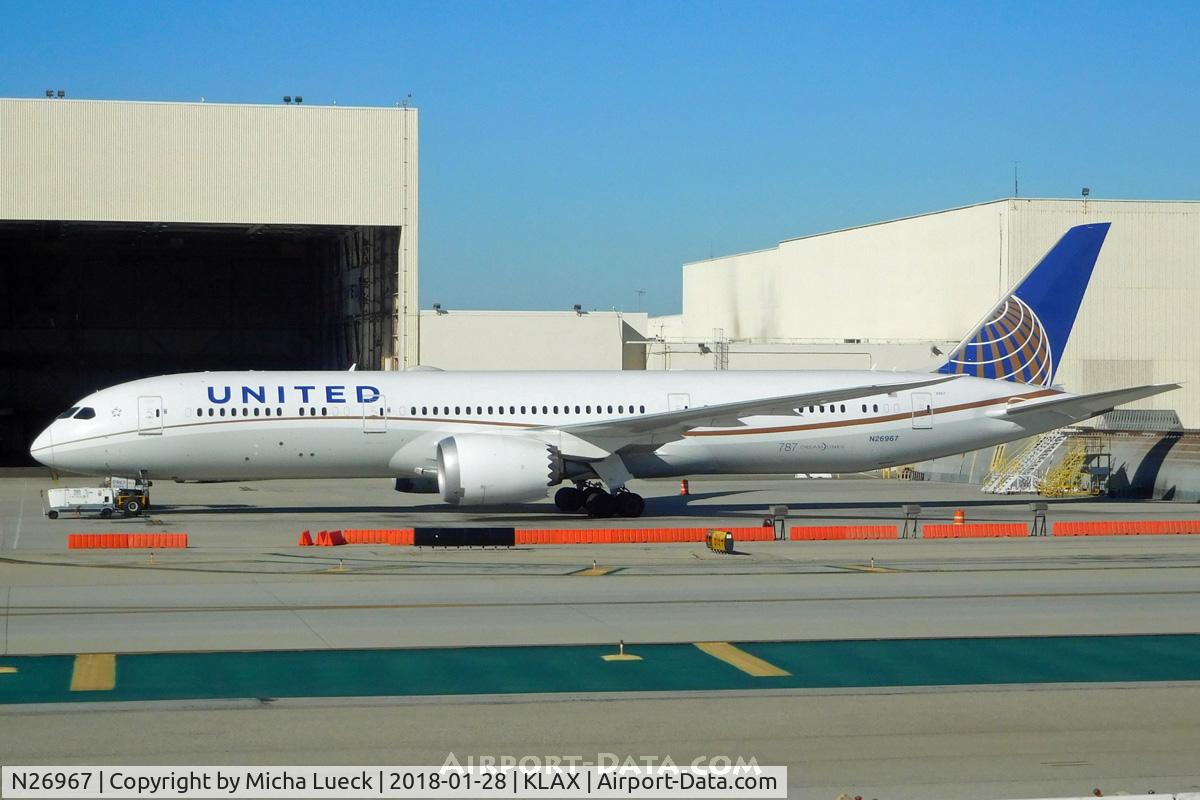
[(1023, 339)]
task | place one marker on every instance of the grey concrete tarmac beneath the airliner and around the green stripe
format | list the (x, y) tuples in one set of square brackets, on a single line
[(244, 585)]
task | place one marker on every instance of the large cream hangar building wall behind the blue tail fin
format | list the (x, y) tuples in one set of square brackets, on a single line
[(929, 279)]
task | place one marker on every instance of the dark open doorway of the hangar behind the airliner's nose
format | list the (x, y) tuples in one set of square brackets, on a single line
[(89, 305)]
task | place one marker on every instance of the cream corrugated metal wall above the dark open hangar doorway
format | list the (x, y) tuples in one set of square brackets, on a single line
[(203, 163)]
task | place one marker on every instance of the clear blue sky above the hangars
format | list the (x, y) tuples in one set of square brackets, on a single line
[(578, 152)]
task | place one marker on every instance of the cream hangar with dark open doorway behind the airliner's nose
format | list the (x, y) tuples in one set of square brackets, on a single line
[(146, 238)]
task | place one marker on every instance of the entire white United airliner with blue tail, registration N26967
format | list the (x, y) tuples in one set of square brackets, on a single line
[(483, 438)]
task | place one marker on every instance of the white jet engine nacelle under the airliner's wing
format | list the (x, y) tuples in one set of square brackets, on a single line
[(476, 470)]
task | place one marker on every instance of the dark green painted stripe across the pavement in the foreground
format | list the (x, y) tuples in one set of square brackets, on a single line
[(580, 669)]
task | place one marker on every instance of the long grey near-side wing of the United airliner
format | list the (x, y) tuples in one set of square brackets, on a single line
[(656, 430)]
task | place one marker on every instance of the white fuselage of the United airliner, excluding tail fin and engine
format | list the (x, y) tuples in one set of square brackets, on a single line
[(277, 425)]
